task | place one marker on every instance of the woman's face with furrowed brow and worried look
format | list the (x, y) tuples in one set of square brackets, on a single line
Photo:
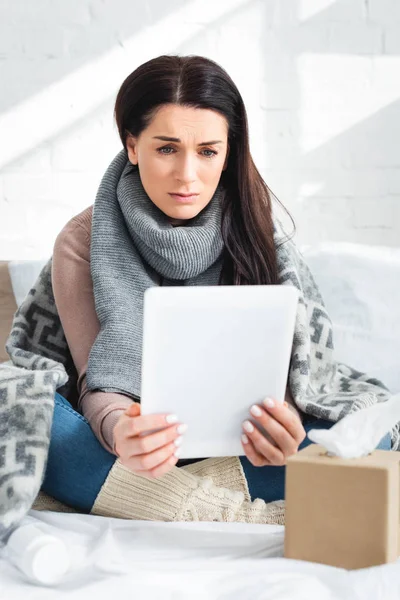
[(183, 151)]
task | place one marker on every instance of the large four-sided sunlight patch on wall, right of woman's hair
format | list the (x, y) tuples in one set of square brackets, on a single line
[(328, 108)]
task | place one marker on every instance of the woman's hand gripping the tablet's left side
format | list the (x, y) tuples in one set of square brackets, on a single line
[(148, 454)]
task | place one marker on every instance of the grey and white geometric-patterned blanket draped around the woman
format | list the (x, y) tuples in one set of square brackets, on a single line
[(41, 363)]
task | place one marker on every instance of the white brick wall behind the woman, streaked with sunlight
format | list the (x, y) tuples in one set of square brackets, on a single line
[(320, 79)]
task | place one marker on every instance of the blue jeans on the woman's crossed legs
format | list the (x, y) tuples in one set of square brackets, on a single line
[(78, 465)]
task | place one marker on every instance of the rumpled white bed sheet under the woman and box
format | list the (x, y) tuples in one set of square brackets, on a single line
[(117, 558)]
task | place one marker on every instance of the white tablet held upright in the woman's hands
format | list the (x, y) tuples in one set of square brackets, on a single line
[(211, 352)]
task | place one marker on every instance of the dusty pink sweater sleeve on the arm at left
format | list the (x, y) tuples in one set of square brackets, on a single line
[(73, 294)]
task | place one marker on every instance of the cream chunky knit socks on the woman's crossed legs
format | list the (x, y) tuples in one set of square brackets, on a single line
[(214, 489)]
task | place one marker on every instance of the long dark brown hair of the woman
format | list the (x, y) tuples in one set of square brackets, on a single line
[(198, 82)]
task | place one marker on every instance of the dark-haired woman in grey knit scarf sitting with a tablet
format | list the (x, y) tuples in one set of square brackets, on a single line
[(186, 163)]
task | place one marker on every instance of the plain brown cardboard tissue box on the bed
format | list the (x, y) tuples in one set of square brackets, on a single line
[(342, 512)]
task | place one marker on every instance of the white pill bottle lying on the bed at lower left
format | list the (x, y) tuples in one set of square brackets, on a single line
[(34, 549)]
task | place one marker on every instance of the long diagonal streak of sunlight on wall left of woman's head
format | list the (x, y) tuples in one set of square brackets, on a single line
[(77, 95)]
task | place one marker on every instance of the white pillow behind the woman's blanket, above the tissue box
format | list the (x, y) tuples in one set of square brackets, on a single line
[(360, 286)]
